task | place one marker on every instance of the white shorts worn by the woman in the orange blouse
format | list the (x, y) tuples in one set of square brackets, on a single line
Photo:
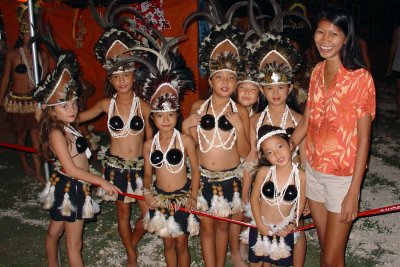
[(327, 188)]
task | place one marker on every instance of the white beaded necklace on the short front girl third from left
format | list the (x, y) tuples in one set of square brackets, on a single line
[(156, 144)]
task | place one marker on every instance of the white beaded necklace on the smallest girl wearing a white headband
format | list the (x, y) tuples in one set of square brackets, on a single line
[(277, 200)]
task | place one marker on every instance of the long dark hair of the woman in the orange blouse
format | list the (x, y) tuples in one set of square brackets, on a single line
[(350, 54)]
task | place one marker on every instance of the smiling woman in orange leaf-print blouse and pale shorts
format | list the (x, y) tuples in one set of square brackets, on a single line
[(337, 122)]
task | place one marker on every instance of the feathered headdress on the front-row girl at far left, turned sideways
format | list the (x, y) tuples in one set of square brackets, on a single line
[(60, 85)]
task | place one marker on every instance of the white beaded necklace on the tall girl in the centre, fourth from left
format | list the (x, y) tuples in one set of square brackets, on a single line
[(216, 133)]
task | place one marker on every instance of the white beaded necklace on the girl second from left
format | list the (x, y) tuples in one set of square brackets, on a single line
[(125, 131)]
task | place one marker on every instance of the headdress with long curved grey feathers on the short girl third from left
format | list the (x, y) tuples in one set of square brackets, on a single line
[(165, 75)]
